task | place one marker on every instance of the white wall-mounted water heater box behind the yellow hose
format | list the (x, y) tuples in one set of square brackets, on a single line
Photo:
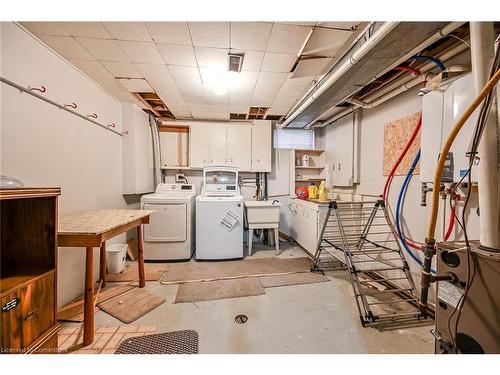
[(441, 109)]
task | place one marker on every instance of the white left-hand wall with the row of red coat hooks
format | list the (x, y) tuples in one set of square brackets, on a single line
[(44, 146)]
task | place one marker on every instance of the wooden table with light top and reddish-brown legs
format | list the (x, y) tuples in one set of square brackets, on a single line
[(91, 229)]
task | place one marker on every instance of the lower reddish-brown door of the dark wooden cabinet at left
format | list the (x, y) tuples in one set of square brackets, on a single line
[(32, 313)]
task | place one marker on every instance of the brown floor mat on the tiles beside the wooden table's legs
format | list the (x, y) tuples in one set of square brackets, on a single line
[(131, 305)]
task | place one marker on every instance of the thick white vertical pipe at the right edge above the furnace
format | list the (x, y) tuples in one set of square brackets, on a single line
[(482, 52)]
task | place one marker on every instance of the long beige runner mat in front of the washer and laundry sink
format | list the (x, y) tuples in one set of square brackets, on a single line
[(207, 271)]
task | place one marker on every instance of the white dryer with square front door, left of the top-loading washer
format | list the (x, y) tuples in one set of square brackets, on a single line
[(170, 234)]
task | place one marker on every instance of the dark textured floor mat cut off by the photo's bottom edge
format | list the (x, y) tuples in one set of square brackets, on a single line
[(177, 342)]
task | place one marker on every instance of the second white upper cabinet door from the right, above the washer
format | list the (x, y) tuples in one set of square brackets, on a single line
[(239, 147)]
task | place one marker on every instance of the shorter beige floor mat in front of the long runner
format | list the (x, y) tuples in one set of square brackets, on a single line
[(220, 289)]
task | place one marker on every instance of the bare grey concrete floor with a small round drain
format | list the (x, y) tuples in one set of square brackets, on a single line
[(313, 318)]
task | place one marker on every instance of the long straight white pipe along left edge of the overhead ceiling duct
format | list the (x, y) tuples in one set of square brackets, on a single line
[(385, 29)]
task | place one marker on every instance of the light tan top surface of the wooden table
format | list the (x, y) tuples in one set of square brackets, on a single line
[(97, 222)]
